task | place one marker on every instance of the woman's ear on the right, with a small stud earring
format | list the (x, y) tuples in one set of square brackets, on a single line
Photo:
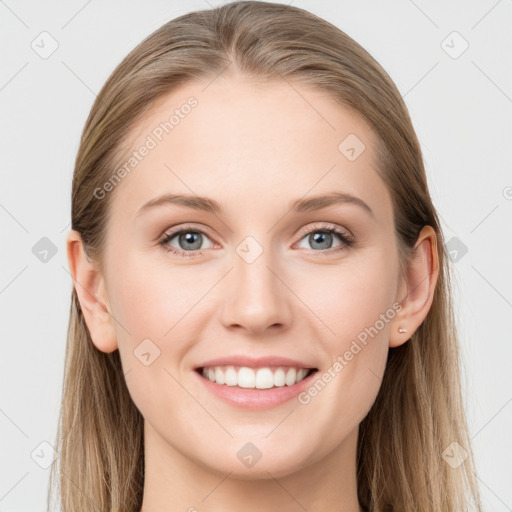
[(416, 291)]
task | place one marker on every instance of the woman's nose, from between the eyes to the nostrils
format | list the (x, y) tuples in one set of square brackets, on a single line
[(256, 297)]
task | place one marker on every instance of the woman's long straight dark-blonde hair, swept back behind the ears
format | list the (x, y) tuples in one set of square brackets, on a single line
[(418, 412)]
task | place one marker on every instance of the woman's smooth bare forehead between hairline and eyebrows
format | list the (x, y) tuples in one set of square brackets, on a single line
[(245, 142)]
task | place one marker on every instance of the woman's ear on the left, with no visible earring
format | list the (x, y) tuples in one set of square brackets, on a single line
[(90, 288)]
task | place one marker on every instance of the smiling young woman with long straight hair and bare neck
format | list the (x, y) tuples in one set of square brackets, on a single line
[(255, 369)]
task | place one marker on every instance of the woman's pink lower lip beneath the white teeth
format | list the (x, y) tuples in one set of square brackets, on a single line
[(256, 398)]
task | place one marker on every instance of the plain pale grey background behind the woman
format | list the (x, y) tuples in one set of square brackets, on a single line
[(461, 106)]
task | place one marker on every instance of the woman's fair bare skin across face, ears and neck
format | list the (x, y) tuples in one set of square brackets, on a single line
[(253, 147)]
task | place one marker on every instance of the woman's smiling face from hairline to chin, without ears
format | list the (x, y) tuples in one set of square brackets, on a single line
[(256, 283)]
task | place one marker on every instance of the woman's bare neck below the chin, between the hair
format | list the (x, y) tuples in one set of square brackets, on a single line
[(174, 482)]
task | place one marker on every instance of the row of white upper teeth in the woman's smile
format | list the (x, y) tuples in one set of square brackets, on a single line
[(261, 378)]
